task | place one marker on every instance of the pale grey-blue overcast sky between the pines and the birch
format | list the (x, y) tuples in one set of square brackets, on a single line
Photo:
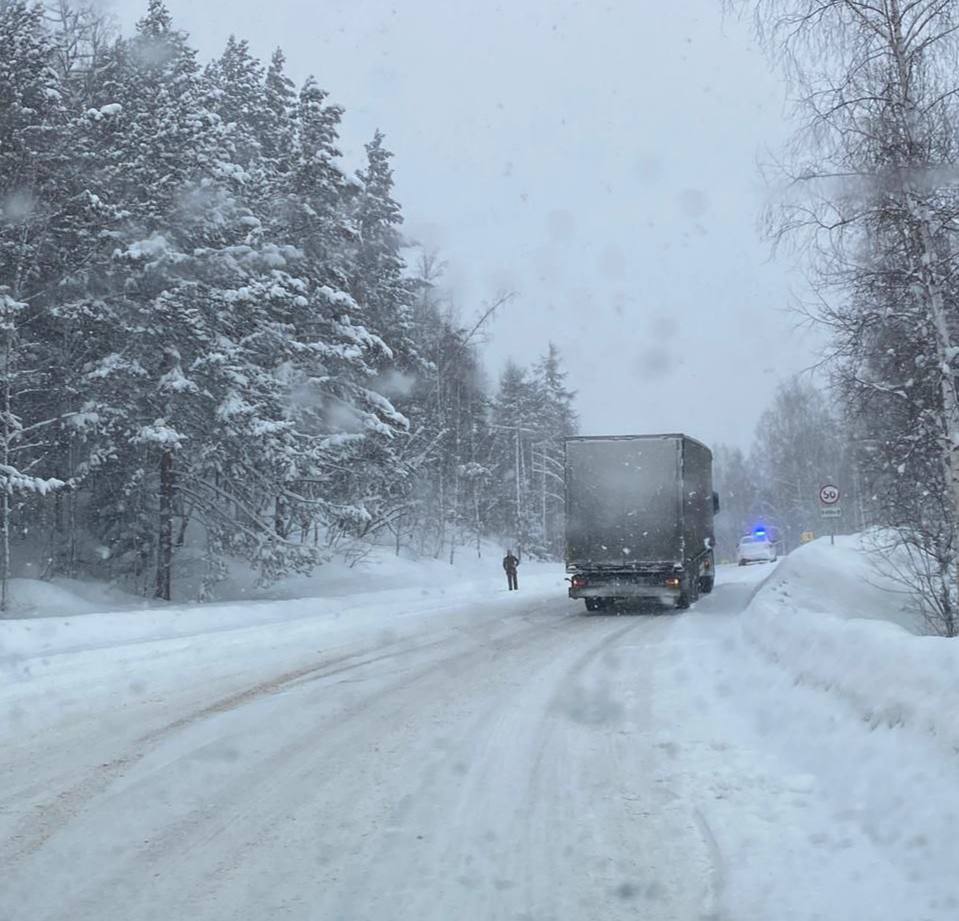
[(598, 158)]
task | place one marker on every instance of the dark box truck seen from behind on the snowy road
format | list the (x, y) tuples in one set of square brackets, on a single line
[(639, 519)]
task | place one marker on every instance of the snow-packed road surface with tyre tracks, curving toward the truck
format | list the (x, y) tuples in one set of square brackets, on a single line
[(461, 760)]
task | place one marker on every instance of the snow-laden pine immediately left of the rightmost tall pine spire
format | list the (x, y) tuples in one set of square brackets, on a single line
[(355, 429)]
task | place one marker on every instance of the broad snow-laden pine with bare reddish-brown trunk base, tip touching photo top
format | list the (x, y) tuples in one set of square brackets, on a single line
[(185, 391)]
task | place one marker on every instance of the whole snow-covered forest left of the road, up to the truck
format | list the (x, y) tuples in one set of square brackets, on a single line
[(216, 343)]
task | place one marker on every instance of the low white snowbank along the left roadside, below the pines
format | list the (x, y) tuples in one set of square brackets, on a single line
[(68, 616)]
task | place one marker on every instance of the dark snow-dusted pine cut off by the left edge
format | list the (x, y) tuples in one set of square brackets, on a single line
[(43, 211)]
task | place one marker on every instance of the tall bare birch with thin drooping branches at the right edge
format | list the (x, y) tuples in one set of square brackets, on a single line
[(871, 189)]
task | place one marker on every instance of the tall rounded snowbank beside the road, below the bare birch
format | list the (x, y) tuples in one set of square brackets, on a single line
[(831, 620)]
